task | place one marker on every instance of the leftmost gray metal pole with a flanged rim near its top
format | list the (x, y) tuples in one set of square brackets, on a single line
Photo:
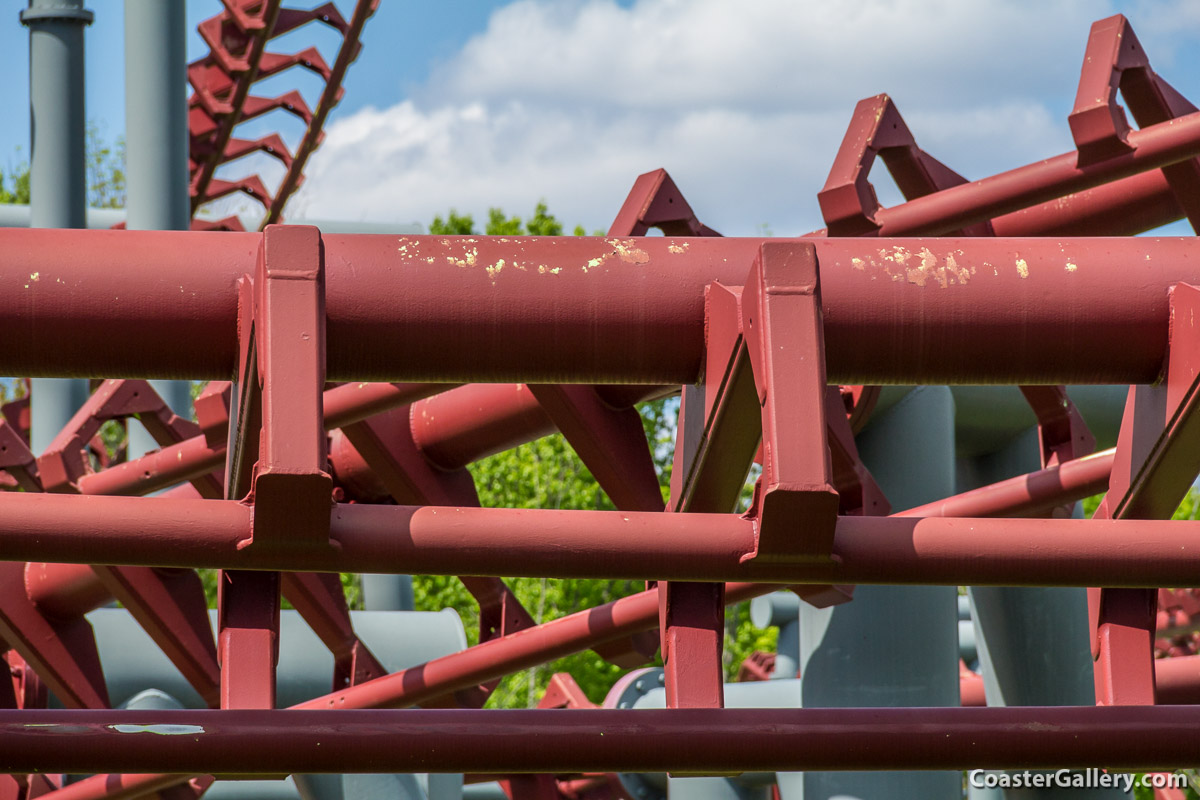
[(58, 173)]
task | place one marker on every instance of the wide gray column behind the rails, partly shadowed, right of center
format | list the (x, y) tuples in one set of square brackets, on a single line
[(891, 646)]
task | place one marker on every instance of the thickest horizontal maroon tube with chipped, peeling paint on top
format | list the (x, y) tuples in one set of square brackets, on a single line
[(616, 311)]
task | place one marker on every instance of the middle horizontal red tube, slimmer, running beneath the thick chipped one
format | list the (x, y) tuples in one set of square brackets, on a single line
[(538, 543)]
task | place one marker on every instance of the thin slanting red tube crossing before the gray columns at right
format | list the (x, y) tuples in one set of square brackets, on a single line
[(1027, 495)]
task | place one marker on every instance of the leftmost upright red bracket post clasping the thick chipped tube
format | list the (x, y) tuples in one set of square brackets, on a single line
[(278, 450)]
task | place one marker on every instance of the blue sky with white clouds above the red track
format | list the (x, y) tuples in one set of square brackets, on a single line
[(471, 105)]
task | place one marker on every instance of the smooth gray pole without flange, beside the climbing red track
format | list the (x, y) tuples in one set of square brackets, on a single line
[(157, 146)]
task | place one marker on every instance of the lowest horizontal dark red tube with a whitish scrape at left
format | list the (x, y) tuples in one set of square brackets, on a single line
[(682, 741)]
